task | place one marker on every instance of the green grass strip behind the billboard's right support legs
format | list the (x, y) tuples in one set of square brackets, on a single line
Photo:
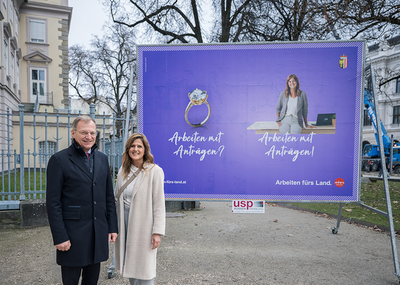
[(372, 194)]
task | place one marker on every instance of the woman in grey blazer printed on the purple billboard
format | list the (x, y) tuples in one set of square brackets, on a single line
[(292, 108)]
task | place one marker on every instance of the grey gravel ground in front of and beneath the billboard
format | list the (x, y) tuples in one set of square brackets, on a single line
[(214, 246)]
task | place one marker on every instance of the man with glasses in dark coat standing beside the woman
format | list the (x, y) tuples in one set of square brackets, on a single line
[(80, 205)]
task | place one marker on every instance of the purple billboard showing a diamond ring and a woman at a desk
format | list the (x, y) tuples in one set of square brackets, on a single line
[(278, 122)]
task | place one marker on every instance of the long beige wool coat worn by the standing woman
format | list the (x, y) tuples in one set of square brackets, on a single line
[(146, 217)]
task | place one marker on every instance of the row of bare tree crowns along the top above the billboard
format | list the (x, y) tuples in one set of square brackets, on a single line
[(187, 21)]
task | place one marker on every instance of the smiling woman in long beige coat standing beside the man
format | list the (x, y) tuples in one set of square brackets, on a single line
[(141, 212)]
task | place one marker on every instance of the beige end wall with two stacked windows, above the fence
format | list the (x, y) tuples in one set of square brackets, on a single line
[(44, 31)]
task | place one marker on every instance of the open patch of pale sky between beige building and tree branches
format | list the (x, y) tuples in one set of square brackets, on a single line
[(88, 18)]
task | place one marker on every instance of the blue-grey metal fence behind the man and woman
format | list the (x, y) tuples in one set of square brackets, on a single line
[(28, 140)]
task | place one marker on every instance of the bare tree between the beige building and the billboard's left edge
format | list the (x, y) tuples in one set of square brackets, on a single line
[(101, 73)]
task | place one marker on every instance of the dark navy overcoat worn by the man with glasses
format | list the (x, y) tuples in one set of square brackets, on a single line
[(80, 205)]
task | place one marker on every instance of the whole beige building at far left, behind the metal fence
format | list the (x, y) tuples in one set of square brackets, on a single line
[(34, 73)]
